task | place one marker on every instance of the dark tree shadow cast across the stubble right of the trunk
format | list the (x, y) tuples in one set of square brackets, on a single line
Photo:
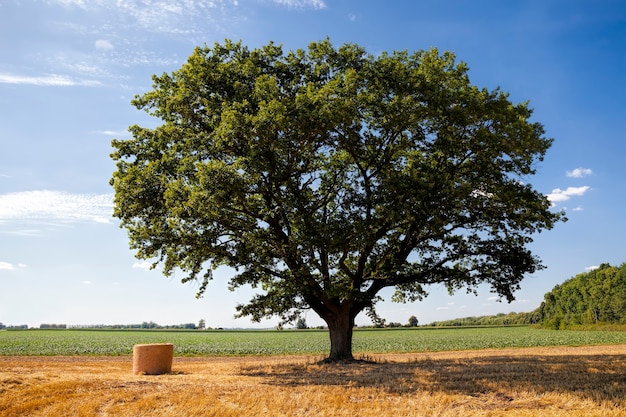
[(599, 378)]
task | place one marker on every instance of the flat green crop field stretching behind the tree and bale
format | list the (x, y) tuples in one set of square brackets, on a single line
[(228, 342)]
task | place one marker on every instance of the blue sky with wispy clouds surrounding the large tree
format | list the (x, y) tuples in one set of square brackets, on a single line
[(69, 68)]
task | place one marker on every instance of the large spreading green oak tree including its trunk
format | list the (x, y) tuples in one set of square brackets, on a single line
[(323, 176)]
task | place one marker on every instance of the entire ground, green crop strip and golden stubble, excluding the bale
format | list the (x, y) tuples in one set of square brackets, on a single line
[(515, 371)]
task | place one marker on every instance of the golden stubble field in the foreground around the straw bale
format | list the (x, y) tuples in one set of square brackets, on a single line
[(574, 381)]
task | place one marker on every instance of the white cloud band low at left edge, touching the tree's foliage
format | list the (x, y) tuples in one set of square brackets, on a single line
[(56, 205)]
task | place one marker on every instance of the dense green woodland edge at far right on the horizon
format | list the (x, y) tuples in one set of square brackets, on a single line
[(594, 297)]
